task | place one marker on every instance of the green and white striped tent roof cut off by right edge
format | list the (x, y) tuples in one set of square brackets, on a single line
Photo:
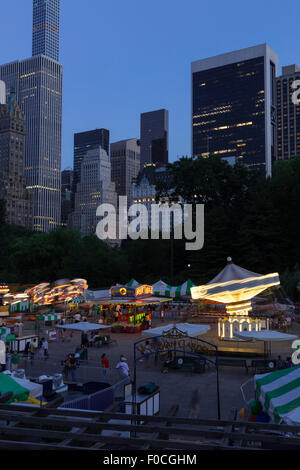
[(279, 393)]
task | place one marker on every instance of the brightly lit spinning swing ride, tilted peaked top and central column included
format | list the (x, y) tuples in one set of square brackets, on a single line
[(235, 287)]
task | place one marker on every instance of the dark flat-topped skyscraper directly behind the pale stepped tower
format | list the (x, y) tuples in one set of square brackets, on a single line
[(84, 141)]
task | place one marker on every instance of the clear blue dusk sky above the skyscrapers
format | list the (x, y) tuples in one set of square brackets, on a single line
[(122, 58)]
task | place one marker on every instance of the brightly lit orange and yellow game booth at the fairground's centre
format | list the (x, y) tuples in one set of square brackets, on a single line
[(131, 306)]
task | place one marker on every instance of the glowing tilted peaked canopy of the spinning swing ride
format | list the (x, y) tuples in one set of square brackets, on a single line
[(235, 284)]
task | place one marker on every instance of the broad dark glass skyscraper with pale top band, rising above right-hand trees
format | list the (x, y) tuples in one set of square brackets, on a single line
[(234, 106)]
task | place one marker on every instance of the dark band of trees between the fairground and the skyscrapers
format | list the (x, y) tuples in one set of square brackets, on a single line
[(254, 220)]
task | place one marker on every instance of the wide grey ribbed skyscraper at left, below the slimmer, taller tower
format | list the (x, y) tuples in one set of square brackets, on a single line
[(37, 82)]
